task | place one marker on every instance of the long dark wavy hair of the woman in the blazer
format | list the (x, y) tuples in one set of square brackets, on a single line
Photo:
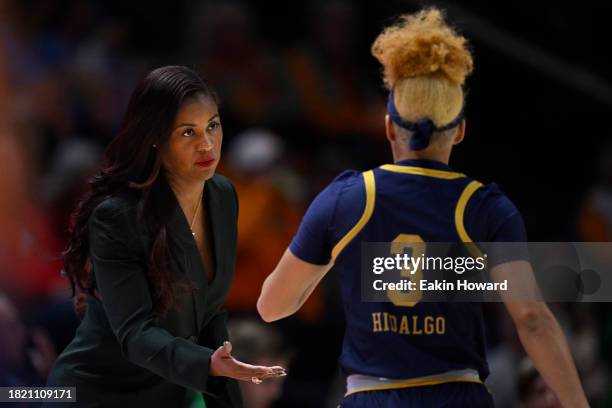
[(132, 162)]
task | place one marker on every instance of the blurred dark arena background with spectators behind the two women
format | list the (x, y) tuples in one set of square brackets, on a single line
[(302, 99)]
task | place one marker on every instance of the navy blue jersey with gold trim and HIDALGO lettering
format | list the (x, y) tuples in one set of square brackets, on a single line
[(412, 201)]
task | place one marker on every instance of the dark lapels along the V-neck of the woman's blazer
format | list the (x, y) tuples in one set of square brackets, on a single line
[(185, 250)]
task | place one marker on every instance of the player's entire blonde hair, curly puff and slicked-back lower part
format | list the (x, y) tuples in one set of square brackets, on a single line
[(425, 63)]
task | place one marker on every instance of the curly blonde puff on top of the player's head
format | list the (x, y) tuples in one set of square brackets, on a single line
[(422, 44)]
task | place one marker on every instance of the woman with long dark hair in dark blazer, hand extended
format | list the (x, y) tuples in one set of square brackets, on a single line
[(152, 248)]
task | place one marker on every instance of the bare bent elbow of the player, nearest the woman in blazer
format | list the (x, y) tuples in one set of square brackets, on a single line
[(287, 288)]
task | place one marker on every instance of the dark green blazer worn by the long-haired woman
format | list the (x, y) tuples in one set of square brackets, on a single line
[(122, 354)]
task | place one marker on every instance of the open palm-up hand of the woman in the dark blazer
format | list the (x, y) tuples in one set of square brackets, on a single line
[(223, 364)]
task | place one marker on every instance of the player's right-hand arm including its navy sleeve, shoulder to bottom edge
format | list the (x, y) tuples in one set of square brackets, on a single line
[(537, 327)]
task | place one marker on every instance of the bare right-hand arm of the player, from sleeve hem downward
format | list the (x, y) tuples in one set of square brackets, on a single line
[(540, 332)]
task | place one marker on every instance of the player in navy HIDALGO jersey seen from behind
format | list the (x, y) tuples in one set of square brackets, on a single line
[(403, 353)]
